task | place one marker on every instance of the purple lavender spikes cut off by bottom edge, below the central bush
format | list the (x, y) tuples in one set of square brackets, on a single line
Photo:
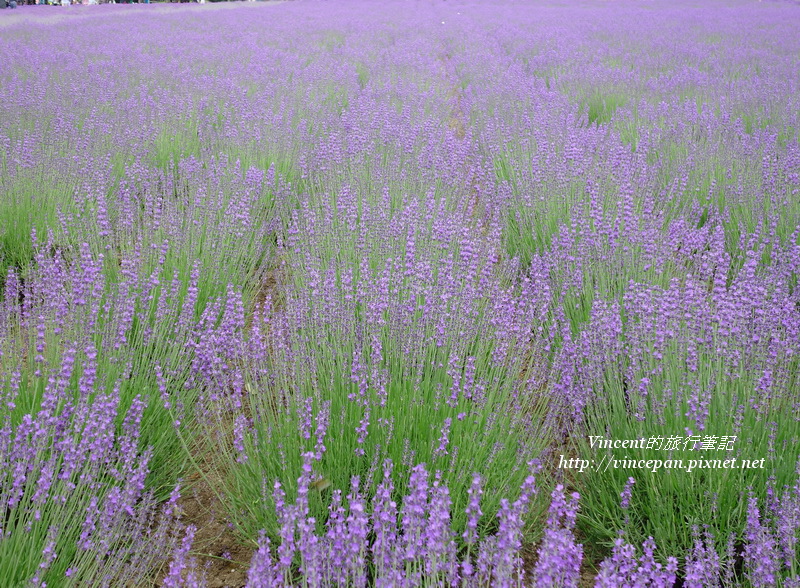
[(414, 546)]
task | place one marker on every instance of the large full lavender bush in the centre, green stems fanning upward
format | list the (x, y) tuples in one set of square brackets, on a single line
[(422, 369)]
